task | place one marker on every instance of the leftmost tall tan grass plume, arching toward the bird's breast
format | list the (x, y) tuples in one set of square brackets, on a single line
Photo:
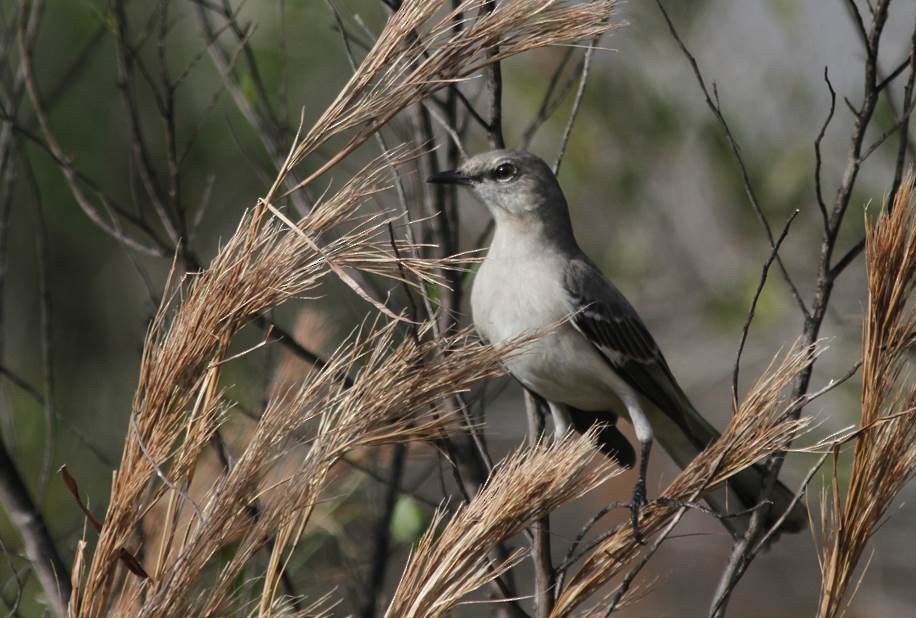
[(176, 406)]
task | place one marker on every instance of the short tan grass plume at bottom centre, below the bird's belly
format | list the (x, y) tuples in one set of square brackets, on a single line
[(450, 563)]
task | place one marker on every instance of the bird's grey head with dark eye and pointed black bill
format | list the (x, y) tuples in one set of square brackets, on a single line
[(512, 183)]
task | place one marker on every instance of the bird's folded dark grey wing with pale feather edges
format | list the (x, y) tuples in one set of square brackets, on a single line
[(605, 317)]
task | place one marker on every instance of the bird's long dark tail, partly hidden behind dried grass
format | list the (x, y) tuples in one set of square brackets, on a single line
[(685, 439)]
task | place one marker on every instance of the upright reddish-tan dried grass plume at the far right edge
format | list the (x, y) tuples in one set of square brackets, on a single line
[(884, 457)]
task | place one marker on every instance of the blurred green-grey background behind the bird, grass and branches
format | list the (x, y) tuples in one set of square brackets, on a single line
[(657, 201)]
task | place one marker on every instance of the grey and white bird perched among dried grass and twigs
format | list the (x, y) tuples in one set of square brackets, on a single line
[(597, 360)]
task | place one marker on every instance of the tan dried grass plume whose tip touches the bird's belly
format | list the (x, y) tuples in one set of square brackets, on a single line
[(391, 382)]
